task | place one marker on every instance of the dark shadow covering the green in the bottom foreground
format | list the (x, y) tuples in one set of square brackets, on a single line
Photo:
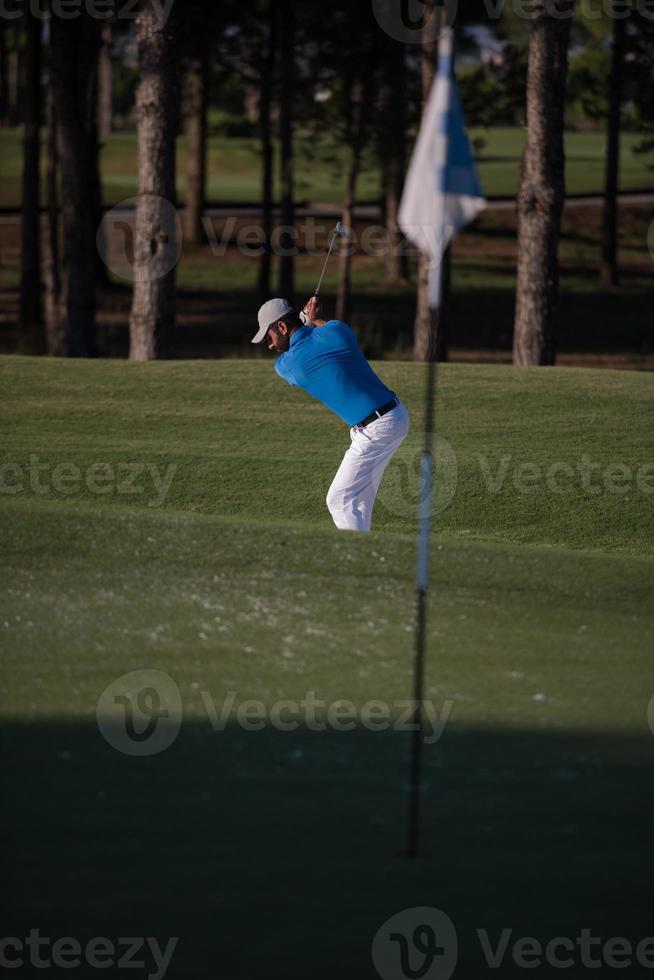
[(272, 854)]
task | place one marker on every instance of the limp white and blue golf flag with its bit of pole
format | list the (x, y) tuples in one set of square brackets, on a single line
[(442, 192)]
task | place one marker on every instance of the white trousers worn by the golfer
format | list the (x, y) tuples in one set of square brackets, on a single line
[(351, 497)]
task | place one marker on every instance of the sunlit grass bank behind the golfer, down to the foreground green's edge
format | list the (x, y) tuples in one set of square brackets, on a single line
[(248, 447)]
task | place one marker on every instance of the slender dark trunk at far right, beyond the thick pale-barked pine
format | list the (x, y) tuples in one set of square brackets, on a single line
[(609, 267)]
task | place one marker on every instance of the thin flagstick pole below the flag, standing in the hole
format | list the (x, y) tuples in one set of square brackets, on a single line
[(422, 579)]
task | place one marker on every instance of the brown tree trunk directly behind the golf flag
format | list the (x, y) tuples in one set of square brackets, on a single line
[(429, 329)]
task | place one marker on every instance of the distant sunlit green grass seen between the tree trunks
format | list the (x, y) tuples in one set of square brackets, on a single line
[(234, 167)]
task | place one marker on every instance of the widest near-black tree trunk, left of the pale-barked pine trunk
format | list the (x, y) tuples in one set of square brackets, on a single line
[(75, 47)]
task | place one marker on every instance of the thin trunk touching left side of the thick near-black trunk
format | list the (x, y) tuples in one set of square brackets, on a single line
[(55, 327)]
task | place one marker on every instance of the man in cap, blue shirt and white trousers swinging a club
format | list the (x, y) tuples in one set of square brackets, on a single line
[(324, 359)]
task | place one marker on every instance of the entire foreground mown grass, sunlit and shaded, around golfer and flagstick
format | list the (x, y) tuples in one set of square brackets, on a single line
[(275, 853)]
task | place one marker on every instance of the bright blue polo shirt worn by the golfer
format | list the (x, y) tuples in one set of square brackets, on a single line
[(328, 364)]
